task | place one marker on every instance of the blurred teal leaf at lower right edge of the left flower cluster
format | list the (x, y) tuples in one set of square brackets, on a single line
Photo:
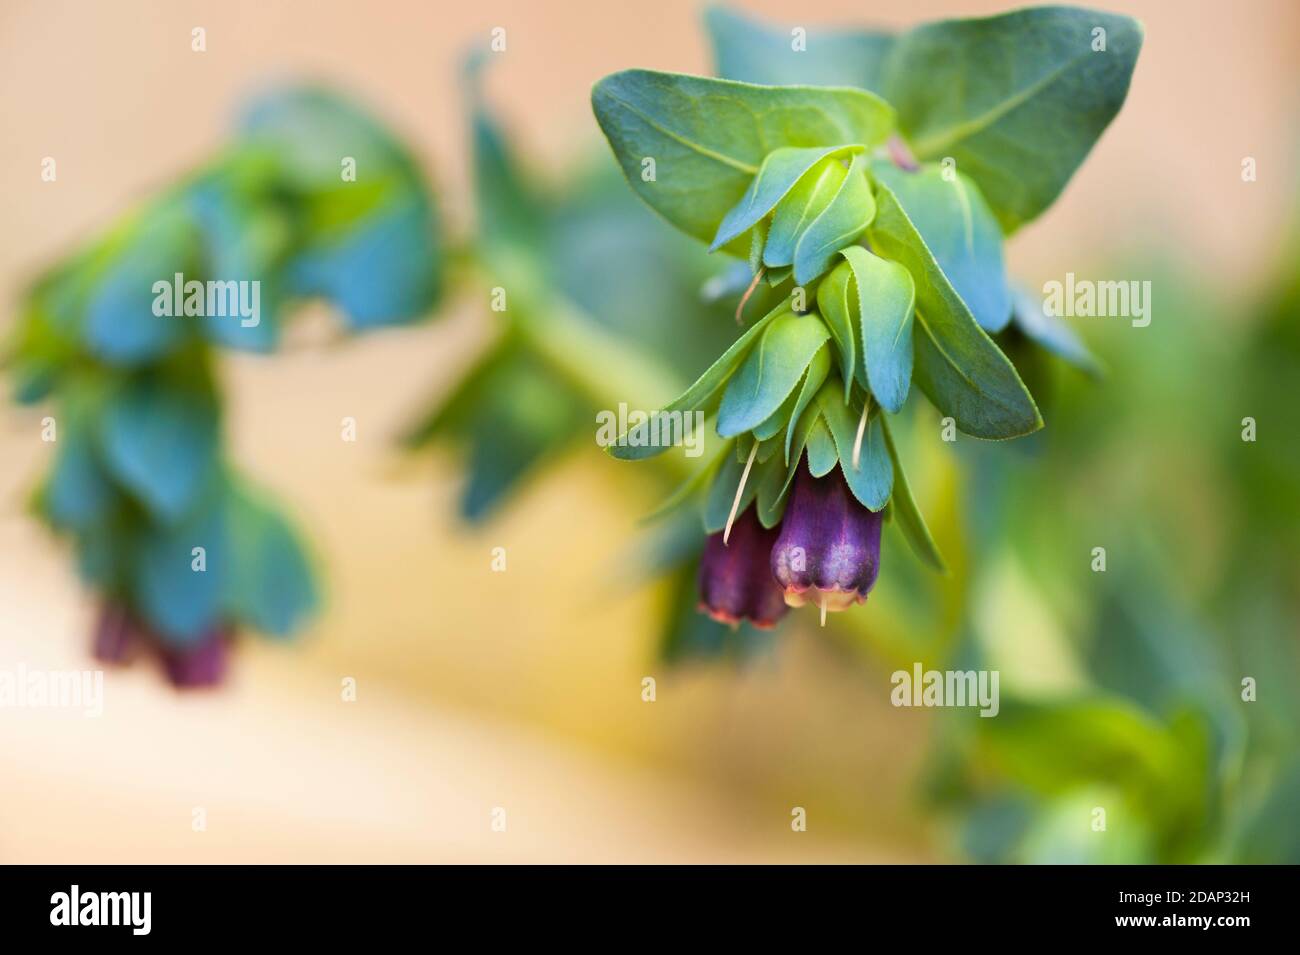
[(270, 583)]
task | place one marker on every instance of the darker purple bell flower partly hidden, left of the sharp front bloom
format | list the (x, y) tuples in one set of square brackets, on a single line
[(736, 579)]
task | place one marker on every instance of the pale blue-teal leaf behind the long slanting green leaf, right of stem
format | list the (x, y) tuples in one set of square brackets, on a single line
[(960, 231)]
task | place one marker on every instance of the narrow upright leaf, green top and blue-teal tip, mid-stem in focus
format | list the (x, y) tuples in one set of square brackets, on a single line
[(886, 306)]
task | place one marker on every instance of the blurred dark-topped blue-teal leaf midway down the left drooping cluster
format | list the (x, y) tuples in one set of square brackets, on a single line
[(162, 444)]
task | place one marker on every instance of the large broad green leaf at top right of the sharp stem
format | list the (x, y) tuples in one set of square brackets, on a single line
[(1019, 99)]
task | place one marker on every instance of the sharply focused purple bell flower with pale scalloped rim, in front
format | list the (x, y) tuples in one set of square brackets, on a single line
[(830, 544)]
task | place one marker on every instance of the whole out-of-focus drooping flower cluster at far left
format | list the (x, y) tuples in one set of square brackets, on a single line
[(313, 199)]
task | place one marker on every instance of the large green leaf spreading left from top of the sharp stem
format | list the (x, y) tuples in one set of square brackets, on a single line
[(709, 137)]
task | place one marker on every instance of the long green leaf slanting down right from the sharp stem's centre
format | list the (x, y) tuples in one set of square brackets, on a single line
[(957, 364)]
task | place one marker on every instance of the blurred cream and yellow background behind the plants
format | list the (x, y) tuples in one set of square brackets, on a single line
[(479, 689)]
